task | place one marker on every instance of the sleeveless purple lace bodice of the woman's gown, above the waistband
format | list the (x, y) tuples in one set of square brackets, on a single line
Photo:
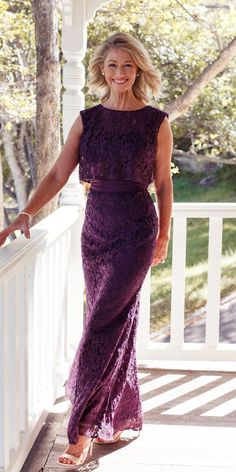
[(118, 144)]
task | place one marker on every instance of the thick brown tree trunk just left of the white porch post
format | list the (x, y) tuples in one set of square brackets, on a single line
[(48, 86)]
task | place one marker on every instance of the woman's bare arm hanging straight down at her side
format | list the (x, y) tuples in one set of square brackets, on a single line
[(163, 189)]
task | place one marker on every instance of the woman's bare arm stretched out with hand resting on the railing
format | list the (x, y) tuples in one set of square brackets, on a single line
[(52, 183)]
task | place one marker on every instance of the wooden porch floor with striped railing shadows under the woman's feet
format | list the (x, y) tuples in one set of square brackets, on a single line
[(189, 426)]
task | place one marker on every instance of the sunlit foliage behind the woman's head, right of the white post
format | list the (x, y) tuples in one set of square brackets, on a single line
[(182, 41)]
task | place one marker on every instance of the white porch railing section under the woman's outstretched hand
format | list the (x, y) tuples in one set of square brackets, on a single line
[(40, 285)]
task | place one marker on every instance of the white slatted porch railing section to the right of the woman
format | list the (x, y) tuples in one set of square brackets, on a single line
[(177, 349)]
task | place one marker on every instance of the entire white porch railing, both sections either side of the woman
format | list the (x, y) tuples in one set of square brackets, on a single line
[(41, 317)]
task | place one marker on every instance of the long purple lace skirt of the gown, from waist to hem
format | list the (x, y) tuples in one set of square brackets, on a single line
[(117, 243)]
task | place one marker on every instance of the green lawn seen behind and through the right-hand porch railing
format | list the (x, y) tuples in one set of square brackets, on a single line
[(187, 188)]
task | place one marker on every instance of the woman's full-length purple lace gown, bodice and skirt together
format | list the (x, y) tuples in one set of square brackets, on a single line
[(117, 242)]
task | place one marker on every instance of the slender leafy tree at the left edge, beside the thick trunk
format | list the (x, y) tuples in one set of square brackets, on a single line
[(17, 104)]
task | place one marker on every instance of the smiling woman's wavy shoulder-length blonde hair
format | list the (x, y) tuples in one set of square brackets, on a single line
[(146, 83)]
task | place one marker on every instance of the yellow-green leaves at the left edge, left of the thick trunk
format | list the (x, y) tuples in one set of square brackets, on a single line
[(17, 61)]
